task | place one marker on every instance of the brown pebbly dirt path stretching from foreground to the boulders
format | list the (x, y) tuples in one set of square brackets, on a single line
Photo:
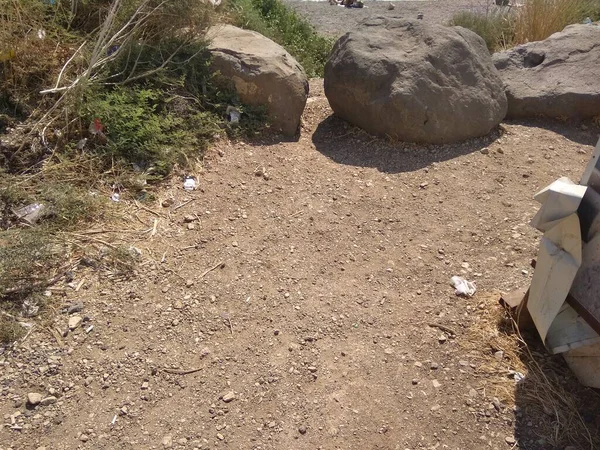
[(314, 333)]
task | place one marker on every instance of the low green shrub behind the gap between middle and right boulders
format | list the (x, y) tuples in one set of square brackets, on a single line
[(496, 28)]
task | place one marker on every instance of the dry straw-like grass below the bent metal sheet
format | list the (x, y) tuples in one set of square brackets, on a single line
[(549, 393)]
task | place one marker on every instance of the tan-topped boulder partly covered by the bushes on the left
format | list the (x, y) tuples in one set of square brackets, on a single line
[(262, 72)]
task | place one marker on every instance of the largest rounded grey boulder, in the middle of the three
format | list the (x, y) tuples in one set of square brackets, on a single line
[(415, 81)]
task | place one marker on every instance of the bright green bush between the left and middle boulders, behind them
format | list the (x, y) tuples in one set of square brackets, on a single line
[(280, 23)]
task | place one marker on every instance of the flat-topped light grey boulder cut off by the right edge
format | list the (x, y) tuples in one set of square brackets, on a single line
[(556, 77)]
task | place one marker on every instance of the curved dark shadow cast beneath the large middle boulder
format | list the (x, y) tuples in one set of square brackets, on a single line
[(350, 145)]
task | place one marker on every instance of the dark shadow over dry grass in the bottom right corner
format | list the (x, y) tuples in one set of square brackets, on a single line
[(553, 410)]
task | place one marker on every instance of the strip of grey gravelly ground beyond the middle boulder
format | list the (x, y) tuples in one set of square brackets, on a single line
[(336, 20)]
